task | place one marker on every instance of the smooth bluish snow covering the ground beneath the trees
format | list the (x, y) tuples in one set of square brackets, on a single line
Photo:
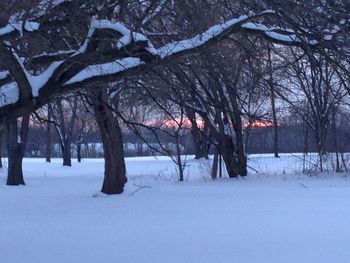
[(276, 215)]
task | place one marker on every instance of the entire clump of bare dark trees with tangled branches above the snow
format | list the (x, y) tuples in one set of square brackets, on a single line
[(219, 62)]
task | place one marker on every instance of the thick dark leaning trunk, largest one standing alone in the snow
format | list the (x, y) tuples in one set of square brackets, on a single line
[(115, 171)]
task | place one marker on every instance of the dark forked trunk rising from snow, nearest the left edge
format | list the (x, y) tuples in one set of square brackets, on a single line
[(16, 143)]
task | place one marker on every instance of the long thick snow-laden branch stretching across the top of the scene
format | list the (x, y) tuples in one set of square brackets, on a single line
[(110, 51)]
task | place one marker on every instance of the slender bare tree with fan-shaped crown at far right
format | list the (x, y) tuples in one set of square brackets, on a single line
[(315, 92)]
